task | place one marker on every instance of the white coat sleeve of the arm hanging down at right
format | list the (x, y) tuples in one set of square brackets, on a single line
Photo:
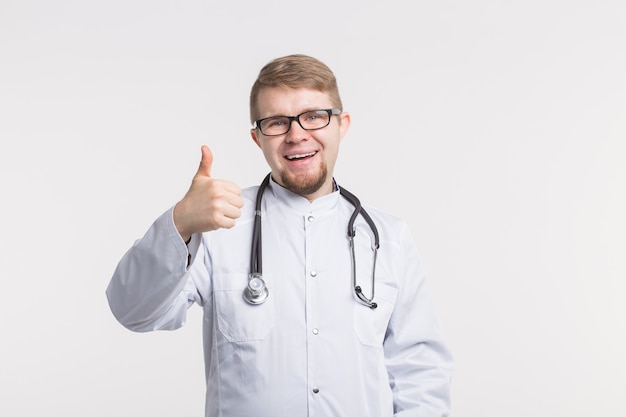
[(418, 362)]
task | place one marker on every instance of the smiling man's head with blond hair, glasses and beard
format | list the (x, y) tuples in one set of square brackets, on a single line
[(303, 153)]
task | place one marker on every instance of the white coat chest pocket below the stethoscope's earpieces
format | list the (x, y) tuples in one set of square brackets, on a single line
[(370, 325)]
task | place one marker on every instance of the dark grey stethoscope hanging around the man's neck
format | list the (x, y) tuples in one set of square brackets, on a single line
[(256, 292)]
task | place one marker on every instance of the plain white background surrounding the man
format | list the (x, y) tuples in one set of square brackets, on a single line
[(497, 129)]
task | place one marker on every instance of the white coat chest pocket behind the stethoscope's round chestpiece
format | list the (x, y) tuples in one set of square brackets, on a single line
[(238, 320)]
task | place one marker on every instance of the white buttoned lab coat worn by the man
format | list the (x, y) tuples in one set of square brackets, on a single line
[(311, 349)]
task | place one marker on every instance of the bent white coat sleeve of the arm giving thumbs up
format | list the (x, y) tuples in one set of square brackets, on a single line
[(157, 279)]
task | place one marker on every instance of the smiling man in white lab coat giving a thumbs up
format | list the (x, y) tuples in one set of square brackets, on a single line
[(309, 333)]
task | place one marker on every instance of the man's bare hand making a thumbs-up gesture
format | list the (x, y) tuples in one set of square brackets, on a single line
[(209, 204)]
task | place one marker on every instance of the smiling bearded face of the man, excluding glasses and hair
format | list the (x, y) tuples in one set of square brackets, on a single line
[(301, 160)]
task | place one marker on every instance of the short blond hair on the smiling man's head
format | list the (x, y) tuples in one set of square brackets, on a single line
[(295, 71)]
